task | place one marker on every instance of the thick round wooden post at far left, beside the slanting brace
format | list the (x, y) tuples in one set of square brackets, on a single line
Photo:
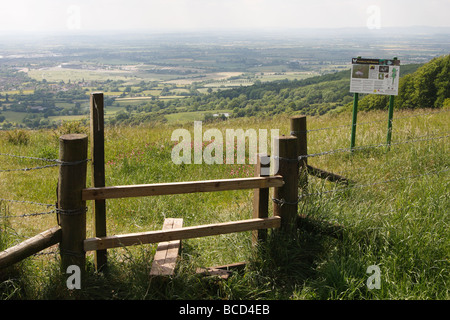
[(71, 208)]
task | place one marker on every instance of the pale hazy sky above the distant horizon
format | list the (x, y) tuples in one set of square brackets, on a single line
[(169, 15)]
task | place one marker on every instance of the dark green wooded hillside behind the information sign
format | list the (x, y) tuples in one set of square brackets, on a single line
[(421, 86)]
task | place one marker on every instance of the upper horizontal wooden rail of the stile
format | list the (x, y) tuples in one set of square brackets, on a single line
[(157, 189)]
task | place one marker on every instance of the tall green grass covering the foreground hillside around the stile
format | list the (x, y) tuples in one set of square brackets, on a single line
[(391, 216)]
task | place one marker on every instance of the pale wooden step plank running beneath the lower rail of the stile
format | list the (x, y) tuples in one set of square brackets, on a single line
[(166, 254)]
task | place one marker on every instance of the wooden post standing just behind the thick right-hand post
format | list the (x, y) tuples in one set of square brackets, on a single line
[(298, 129)]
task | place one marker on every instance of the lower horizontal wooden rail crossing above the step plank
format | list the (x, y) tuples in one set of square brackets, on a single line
[(180, 234)]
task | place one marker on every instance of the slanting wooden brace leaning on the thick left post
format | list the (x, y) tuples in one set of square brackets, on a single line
[(30, 246)]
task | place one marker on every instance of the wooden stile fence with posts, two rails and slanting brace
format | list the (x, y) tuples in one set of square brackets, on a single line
[(72, 195)]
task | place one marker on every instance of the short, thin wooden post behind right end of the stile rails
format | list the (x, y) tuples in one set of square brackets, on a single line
[(261, 197)]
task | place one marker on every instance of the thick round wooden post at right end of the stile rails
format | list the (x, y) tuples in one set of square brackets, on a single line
[(286, 197)]
